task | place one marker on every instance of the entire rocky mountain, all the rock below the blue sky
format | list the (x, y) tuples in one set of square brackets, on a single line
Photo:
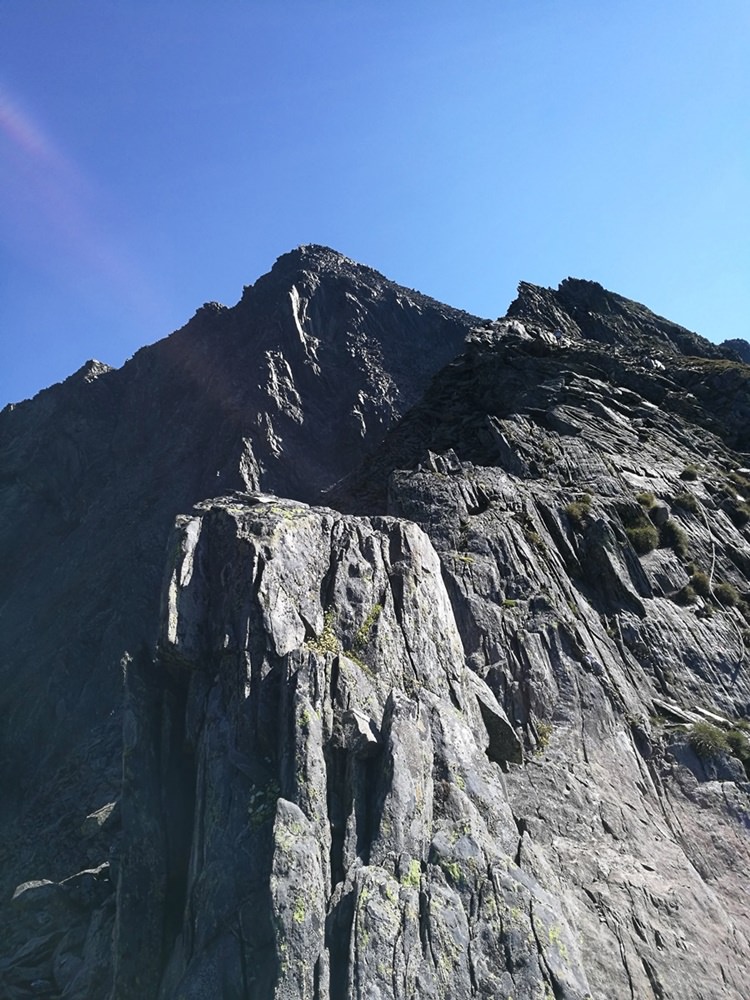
[(356, 647)]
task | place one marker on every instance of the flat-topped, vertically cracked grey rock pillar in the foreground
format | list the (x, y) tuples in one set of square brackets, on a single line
[(350, 834)]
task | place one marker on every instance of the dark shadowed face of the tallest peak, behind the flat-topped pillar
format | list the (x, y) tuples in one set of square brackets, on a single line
[(285, 392)]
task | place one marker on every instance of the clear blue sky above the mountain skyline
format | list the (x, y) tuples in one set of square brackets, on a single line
[(155, 155)]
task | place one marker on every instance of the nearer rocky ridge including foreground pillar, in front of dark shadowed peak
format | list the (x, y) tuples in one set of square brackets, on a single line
[(478, 732)]
